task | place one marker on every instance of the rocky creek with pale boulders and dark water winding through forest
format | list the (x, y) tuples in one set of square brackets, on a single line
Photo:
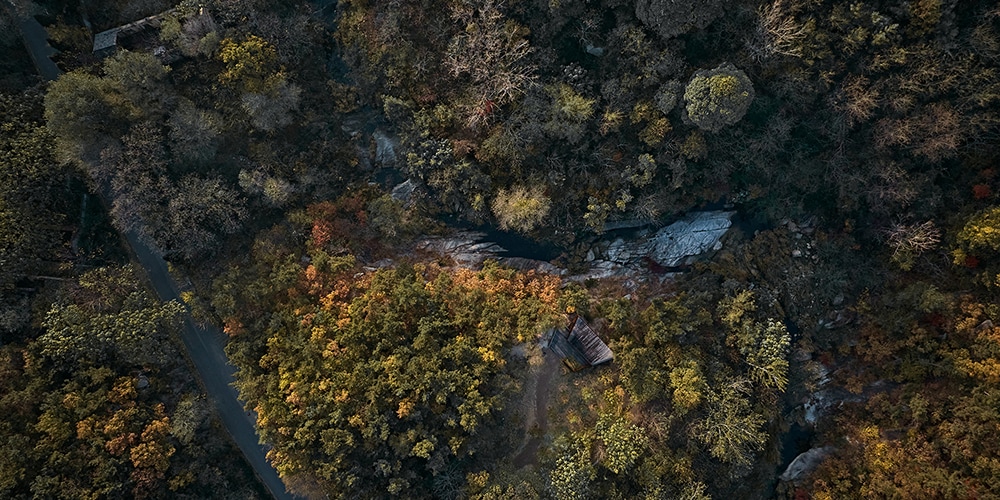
[(634, 250)]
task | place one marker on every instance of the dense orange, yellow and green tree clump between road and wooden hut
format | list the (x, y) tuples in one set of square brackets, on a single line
[(404, 370)]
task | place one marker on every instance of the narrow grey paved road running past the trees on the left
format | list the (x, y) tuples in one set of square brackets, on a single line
[(204, 344)]
